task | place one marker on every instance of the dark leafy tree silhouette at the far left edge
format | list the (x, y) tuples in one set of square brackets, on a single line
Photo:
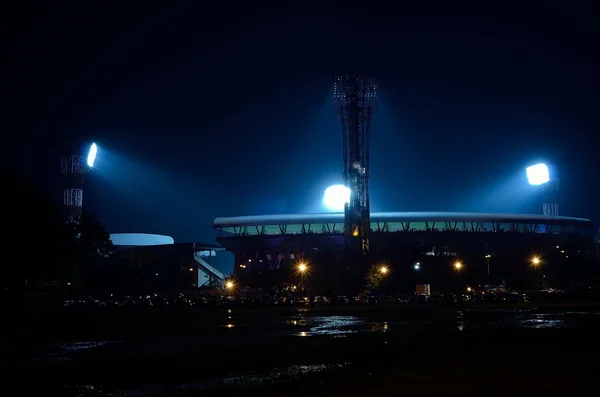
[(46, 250)]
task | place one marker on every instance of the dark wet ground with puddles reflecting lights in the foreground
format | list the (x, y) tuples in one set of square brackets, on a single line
[(457, 351)]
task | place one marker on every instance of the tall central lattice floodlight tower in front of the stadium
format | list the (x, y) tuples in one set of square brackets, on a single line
[(355, 99)]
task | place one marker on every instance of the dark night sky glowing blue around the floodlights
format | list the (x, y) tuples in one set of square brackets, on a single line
[(200, 113)]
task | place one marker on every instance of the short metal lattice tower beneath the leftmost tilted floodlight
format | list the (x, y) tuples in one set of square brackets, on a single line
[(74, 168)]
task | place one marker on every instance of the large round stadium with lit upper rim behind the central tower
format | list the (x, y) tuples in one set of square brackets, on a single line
[(433, 240)]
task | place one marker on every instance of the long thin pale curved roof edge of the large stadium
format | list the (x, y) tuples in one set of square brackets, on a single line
[(338, 217)]
